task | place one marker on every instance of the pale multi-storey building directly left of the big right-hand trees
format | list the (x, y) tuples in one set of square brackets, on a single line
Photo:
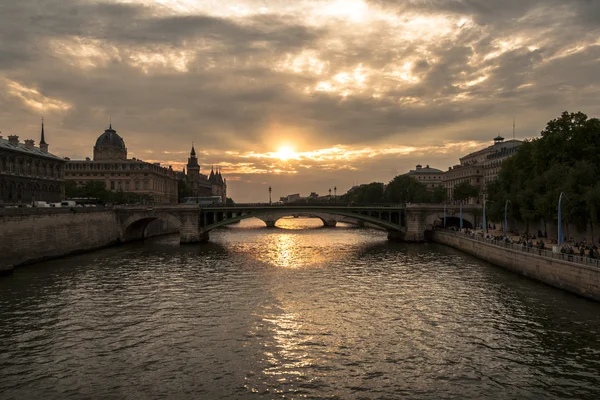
[(476, 166)]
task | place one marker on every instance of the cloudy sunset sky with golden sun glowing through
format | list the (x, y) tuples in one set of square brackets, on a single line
[(304, 95)]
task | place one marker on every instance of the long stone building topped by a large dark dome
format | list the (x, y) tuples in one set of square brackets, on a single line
[(119, 173)]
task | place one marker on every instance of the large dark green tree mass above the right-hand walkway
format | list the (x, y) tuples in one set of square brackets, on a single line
[(565, 158)]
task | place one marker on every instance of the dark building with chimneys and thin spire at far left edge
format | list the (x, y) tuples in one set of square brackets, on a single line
[(29, 173)]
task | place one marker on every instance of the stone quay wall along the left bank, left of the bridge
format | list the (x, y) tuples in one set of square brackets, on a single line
[(29, 235)]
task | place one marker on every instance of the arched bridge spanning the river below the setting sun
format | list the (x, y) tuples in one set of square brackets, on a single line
[(402, 222)]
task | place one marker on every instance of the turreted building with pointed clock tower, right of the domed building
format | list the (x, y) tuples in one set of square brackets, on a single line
[(202, 185)]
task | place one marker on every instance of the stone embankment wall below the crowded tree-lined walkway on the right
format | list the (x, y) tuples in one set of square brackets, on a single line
[(580, 279)]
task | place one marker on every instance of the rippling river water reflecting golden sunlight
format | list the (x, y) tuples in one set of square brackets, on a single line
[(294, 312)]
